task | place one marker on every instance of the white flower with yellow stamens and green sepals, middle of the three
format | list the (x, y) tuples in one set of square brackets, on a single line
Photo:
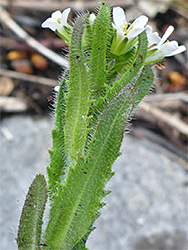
[(126, 32)]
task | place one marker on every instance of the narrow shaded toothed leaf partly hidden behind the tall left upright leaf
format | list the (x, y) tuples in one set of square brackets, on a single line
[(58, 167)]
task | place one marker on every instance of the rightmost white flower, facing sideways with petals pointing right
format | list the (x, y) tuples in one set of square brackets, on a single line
[(159, 48)]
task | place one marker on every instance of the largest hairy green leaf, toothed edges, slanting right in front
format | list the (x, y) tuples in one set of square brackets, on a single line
[(75, 208)]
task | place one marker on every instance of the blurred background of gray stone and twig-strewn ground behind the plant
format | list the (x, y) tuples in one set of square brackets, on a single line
[(148, 206)]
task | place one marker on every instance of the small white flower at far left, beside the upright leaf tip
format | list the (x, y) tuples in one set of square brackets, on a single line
[(58, 23)]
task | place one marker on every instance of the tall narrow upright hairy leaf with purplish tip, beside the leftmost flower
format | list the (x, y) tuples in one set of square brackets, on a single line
[(78, 99)]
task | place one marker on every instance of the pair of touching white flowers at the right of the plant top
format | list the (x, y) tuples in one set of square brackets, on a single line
[(158, 48)]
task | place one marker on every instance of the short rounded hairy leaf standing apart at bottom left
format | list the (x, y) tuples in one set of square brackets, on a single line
[(29, 231)]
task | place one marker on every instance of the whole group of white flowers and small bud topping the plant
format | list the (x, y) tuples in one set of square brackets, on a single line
[(126, 34)]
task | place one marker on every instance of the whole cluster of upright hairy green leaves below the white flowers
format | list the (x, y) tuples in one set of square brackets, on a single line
[(94, 103)]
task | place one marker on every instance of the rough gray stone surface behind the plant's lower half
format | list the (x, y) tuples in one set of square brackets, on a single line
[(147, 209)]
